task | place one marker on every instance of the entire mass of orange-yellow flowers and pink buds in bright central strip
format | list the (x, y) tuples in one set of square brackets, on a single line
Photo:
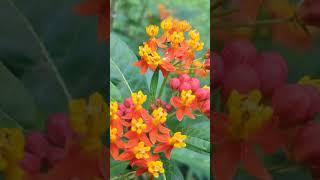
[(171, 49)]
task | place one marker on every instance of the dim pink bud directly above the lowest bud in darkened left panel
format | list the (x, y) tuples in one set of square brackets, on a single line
[(37, 144)]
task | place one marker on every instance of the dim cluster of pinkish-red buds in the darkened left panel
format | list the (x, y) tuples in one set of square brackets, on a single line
[(44, 150)]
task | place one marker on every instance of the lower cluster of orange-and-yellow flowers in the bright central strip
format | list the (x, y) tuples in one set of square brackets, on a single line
[(138, 137)]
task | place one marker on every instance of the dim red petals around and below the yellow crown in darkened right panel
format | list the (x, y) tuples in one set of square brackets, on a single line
[(230, 151)]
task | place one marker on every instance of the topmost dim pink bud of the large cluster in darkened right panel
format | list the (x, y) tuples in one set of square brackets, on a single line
[(238, 52)]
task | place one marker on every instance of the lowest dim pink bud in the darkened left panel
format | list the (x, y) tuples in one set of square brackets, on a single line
[(31, 163)]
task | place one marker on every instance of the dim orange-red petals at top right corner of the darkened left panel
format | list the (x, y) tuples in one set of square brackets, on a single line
[(98, 8)]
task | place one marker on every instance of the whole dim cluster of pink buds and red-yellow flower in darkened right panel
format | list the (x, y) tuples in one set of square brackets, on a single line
[(261, 108)]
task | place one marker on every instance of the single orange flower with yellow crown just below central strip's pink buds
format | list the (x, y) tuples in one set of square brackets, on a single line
[(184, 104)]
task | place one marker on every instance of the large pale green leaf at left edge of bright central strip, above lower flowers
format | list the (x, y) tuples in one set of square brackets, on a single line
[(122, 72)]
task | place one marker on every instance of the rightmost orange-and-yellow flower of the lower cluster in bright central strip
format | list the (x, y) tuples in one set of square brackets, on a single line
[(167, 145)]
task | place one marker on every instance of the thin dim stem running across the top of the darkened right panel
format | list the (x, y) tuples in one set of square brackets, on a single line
[(257, 23)]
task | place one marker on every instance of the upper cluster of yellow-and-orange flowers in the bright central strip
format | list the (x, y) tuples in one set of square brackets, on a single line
[(178, 50)]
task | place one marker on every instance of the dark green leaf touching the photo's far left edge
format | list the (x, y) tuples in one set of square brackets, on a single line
[(17, 106)]
